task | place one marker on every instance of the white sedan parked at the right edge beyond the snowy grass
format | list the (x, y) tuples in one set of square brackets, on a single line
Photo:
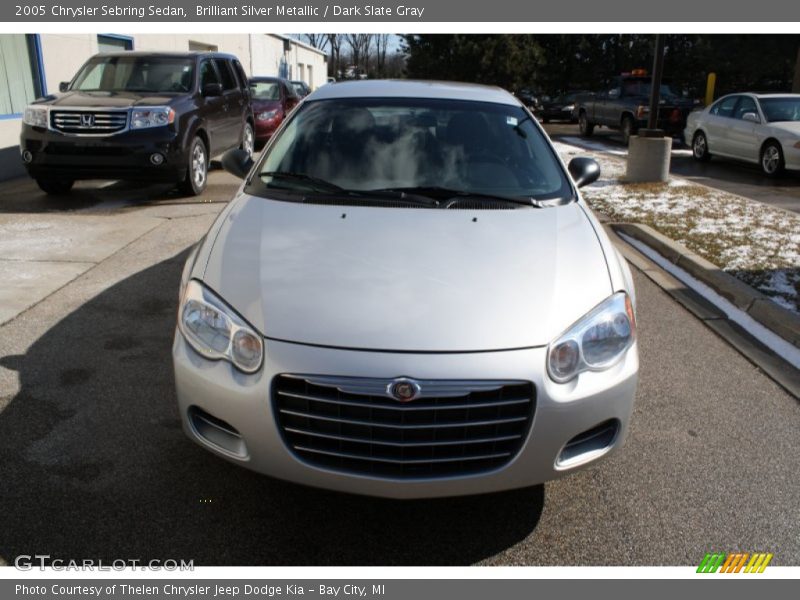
[(757, 128)]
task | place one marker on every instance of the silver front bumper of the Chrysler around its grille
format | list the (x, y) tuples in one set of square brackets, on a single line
[(244, 401)]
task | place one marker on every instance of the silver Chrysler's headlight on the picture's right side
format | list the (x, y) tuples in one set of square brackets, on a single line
[(596, 342)]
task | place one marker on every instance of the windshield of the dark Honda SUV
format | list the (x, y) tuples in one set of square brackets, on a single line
[(152, 74)]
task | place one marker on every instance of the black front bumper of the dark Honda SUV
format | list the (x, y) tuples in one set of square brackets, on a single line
[(124, 155)]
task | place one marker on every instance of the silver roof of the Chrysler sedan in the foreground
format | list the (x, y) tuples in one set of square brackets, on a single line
[(395, 88)]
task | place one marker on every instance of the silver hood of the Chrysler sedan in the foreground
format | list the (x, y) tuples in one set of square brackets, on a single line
[(408, 279)]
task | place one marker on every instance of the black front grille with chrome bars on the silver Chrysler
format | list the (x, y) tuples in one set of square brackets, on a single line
[(452, 428)]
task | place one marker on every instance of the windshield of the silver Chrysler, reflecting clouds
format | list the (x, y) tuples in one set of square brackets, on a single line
[(360, 144)]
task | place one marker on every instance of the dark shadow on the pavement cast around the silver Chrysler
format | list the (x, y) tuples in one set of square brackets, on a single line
[(95, 465)]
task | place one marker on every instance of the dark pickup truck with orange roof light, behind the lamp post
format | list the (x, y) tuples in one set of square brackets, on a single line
[(625, 105)]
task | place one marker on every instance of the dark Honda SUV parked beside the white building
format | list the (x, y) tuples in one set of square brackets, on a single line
[(155, 117)]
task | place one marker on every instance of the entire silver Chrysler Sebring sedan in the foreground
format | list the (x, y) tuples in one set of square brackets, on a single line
[(407, 298)]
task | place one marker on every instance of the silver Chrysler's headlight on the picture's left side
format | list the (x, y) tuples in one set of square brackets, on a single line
[(216, 331)]
